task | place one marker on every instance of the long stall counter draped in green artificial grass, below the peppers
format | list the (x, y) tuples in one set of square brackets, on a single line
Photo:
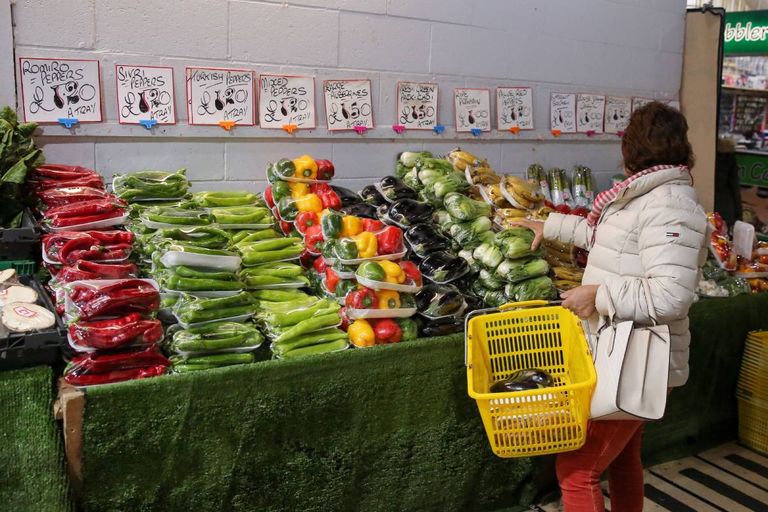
[(387, 428)]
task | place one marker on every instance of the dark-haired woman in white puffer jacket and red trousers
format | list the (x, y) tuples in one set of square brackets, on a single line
[(646, 233)]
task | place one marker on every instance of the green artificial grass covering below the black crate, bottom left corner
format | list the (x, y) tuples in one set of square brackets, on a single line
[(32, 476)]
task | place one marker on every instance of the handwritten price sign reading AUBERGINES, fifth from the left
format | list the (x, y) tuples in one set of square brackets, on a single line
[(348, 104)]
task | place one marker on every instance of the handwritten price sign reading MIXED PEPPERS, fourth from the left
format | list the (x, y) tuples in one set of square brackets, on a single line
[(286, 100)]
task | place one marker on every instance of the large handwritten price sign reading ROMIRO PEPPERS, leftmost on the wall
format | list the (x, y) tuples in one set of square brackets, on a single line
[(52, 89)]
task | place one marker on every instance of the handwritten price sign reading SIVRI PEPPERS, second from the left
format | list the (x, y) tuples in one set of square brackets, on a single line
[(145, 93)]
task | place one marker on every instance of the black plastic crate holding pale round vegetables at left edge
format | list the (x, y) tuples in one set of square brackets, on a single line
[(20, 350)]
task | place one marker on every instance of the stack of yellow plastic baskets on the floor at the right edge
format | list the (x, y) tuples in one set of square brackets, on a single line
[(752, 392)]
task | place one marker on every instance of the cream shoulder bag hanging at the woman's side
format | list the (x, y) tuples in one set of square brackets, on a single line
[(632, 365)]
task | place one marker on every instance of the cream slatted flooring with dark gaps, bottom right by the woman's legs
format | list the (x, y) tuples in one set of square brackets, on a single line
[(729, 478)]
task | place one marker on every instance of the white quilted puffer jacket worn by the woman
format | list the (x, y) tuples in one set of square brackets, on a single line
[(648, 249)]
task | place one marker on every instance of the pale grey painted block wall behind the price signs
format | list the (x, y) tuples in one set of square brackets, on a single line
[(621, 47)]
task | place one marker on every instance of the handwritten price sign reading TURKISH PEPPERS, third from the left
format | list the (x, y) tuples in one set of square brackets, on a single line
[(215, 95)]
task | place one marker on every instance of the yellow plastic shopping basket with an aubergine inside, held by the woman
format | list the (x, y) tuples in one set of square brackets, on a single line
[(524, 335)]
